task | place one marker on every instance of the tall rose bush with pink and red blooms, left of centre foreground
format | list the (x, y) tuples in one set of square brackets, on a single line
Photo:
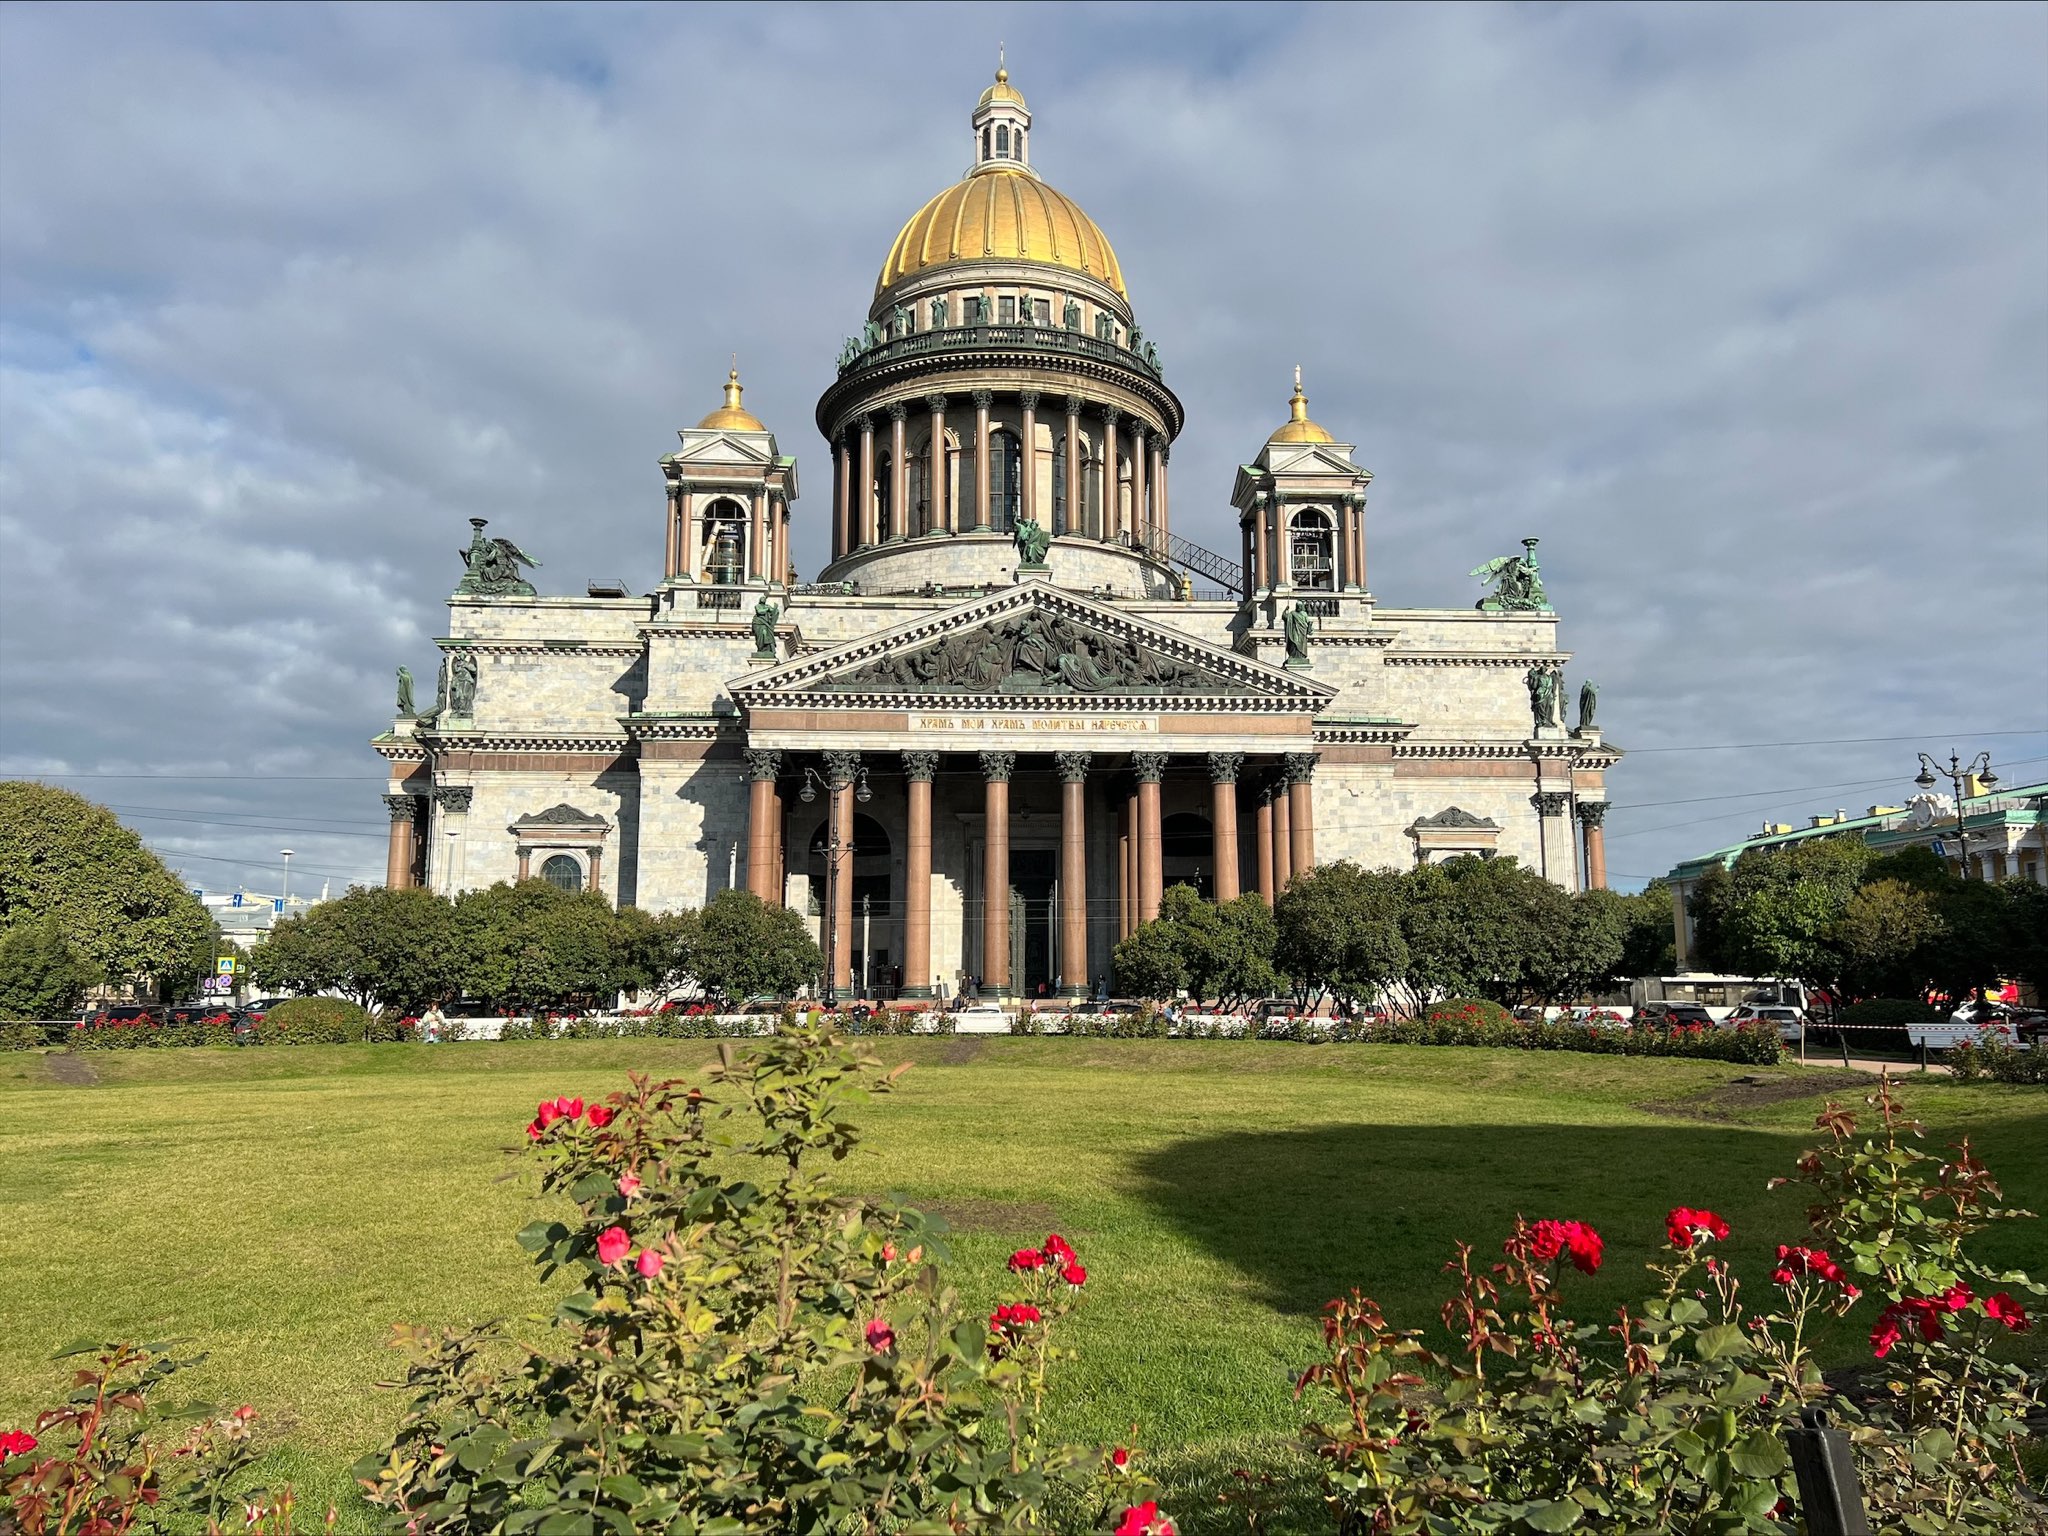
[(744, 1351)]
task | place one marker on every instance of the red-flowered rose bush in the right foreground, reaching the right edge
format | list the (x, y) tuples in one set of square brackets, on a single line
[(1674, 1416)]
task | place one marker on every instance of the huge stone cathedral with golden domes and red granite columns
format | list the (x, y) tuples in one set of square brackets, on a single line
[(1015, 708)]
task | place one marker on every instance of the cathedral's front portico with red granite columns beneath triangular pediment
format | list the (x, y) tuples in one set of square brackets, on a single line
[(1037, 761)]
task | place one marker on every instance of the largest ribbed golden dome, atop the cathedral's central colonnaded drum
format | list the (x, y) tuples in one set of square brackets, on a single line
[(1002, 212)]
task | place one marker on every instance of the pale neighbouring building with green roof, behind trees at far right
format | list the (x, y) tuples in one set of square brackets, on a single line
[(2004, 833)]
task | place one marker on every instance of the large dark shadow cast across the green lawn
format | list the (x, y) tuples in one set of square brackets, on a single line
[(1308, 1215)]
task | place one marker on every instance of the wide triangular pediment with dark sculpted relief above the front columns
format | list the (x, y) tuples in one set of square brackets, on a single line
[(1035, 648)]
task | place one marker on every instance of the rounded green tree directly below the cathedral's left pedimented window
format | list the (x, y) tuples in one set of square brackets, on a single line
[(534, 947)]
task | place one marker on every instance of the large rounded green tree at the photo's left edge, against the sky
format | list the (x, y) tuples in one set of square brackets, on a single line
[(116, 904)]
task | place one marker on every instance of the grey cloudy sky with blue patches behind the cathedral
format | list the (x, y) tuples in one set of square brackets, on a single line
[(1744, 310)]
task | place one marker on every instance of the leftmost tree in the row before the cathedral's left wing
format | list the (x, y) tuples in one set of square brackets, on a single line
[(378, 945)]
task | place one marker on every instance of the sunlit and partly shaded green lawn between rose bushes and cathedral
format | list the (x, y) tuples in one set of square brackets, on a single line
[(286, 1207)]
